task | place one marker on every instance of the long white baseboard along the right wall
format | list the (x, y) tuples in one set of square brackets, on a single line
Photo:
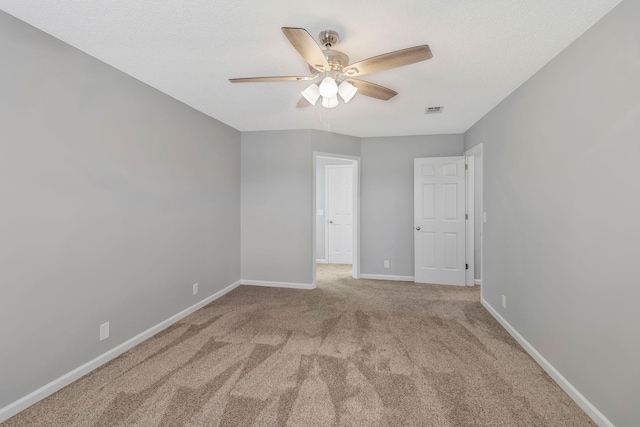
[(593, 412)]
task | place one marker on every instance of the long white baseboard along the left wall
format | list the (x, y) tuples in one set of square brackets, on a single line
[(55, 385)]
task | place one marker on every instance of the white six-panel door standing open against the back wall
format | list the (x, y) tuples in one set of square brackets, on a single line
[(439, 216)]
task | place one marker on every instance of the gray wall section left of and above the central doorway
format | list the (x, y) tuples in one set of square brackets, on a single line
[(277, 189)]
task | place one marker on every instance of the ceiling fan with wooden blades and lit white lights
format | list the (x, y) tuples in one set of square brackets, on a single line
[(333, 71)]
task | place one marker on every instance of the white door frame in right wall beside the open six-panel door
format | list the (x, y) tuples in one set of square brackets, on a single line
[(475, 158)]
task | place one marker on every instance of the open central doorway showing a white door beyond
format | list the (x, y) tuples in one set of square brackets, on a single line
[(335, 210)]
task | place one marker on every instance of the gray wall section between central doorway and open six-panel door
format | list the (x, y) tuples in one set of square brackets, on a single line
[(386, 198)]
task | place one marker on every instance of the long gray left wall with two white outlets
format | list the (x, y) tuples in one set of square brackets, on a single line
[(115, 200)]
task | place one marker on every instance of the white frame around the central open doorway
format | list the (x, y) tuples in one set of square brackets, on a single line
[(356, 211)]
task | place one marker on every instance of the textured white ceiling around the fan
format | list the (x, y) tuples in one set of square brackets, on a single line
[(483, 50)]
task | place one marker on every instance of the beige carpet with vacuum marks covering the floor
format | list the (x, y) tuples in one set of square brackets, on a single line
[(360, 353)]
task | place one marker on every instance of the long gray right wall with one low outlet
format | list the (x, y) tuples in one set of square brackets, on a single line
[(562, 238)]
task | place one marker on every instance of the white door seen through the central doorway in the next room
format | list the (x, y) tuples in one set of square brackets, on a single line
[(339, 215)]
